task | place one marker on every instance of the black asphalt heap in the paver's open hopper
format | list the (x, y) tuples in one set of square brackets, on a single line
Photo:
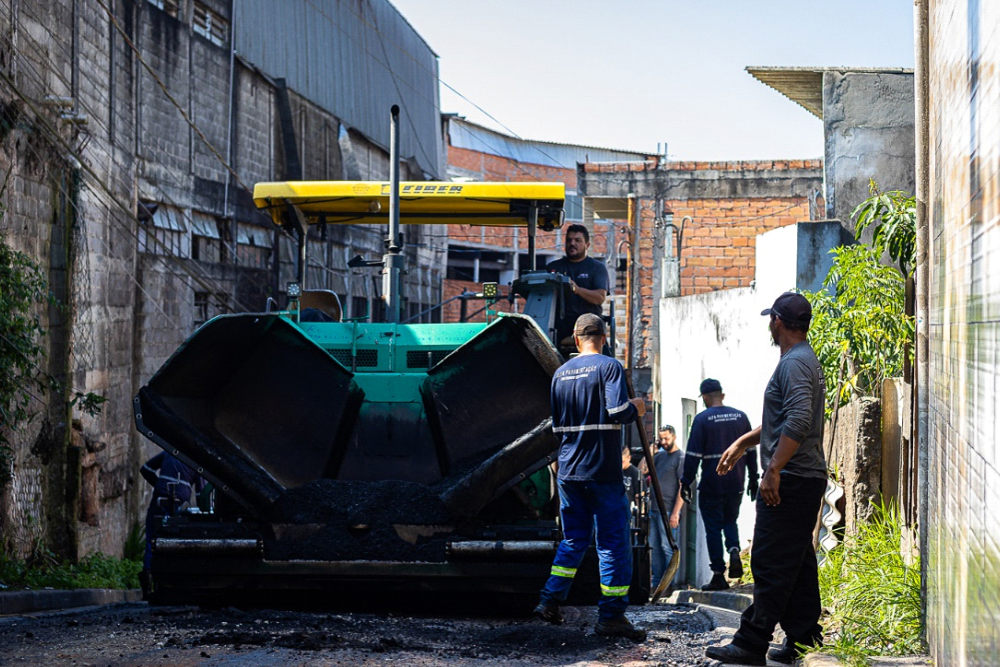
[(351, 520)]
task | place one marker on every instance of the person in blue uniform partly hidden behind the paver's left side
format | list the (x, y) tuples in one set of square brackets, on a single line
[(175, 486)]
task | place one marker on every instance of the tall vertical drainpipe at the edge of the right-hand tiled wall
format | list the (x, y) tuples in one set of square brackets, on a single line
[(921, 97)]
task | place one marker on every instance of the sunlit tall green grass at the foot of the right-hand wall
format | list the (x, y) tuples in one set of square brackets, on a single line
[(872, 594)]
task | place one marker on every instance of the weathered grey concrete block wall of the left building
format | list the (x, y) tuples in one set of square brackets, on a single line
[(130, 167)]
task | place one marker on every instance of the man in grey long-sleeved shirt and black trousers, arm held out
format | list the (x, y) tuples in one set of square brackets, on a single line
[(783, 561)]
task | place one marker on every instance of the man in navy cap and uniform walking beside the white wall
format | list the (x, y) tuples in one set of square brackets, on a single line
[(719, 497)]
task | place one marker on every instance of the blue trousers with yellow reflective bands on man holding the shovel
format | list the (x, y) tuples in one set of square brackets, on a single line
[(585, 506)]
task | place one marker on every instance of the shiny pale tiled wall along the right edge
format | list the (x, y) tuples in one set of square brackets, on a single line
[(964, 334)]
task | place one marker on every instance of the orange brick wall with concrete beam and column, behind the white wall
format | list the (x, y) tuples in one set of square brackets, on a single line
[(730, 203)]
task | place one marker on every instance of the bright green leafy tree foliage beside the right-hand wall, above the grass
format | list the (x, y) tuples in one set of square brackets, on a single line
[(860, 330)]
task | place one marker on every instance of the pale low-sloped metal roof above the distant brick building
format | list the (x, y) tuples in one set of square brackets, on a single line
[(464, 134)]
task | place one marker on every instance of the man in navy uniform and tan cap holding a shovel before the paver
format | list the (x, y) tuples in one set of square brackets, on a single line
[(590, 403)]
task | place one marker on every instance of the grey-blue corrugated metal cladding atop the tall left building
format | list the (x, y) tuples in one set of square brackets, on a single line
[(355, 58)]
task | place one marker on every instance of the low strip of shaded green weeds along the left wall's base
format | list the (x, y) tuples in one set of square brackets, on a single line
[(94, 571)]
